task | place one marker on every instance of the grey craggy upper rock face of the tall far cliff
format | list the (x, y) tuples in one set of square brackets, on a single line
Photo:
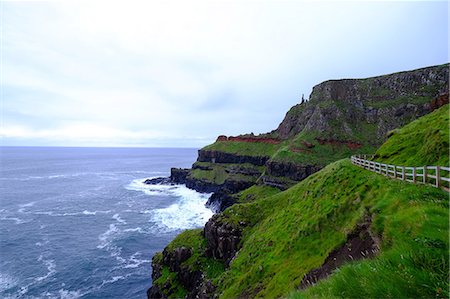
[(384, 103)]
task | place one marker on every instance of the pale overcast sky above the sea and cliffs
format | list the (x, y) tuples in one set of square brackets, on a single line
[(179, 73)]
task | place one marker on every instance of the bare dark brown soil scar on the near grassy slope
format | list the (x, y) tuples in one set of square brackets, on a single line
[(360, 244)]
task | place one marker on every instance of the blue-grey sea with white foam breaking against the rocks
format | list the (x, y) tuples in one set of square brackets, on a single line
[(80, 222)]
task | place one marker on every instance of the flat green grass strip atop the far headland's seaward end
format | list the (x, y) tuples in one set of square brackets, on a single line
[(244, 148)]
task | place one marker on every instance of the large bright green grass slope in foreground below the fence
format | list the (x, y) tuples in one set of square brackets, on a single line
[(292, 232)]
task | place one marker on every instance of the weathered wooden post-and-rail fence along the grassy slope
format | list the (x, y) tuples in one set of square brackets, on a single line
[(437, 176)]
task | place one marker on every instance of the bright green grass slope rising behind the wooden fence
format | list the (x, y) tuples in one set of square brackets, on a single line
[(421, 142)]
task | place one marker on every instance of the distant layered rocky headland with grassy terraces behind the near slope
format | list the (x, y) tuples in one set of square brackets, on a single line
[(341, 118)]
